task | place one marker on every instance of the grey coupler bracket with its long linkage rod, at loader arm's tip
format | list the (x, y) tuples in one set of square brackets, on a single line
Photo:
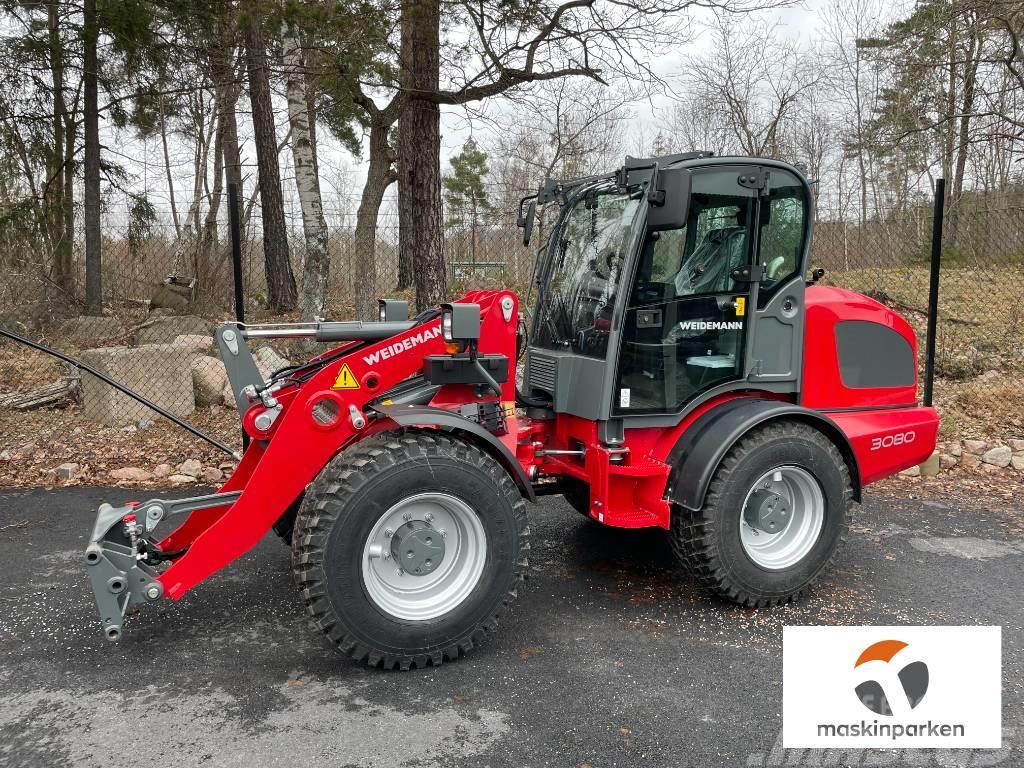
[(118, 571)]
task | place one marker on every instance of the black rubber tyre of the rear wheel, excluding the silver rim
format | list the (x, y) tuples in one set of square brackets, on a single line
[(709, 542)]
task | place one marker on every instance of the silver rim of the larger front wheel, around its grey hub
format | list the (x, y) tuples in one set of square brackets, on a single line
[(422, 598)]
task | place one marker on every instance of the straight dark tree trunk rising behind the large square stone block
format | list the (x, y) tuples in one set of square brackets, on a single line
[(91, 127)]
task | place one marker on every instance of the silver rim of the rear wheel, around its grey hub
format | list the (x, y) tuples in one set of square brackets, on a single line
[(798, 533)]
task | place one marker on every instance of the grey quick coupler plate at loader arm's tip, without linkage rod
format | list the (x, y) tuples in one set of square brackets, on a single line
[(117, 561)]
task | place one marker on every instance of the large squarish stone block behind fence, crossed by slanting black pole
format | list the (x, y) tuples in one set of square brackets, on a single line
[(158, 372)]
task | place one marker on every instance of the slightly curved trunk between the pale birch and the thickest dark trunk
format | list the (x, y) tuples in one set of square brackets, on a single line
[(380, 176)]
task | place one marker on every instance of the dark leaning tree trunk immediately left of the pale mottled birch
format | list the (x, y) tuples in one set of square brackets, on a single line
[(282, 293)]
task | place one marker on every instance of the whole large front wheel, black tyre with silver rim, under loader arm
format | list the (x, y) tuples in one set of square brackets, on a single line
[(392, 494)]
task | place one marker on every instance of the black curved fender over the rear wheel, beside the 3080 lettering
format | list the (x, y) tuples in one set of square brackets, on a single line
[(700, 450)]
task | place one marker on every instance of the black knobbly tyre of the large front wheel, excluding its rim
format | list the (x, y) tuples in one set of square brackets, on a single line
[(348, 499)]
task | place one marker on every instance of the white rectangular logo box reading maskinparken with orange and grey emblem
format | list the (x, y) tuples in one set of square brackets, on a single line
[(827, 672)]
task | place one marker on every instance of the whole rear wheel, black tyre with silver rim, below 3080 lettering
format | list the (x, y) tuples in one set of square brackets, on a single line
[(753, 567)]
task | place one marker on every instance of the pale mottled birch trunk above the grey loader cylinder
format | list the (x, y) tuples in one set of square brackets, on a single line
[(317, 266)]
